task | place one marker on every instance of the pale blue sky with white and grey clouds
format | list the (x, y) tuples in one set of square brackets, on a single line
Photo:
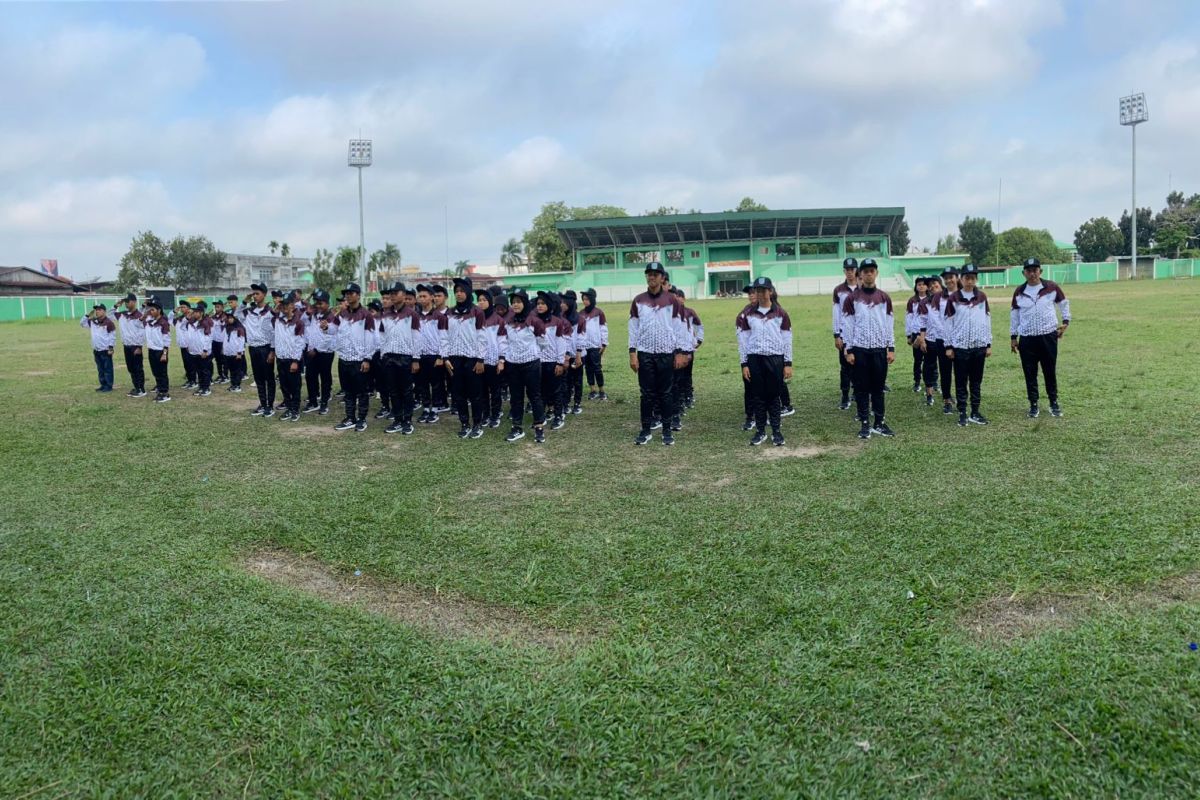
[(231, 119)]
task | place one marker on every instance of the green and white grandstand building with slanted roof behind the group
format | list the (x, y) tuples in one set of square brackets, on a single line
[(717, 255)]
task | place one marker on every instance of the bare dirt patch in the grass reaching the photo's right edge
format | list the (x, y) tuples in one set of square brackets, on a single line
[(1009, 619)]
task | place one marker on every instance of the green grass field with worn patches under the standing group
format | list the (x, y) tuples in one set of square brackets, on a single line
[(597, 619)]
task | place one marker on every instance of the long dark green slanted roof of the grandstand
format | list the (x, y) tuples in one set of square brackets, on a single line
[(729, 226)]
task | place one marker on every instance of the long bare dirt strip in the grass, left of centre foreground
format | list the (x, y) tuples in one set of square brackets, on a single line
[(435, 612)]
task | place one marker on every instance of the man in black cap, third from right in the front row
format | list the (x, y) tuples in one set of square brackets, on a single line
[(868, 328)]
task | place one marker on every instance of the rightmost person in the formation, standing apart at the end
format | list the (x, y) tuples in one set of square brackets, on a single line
[(1035, 332)]
